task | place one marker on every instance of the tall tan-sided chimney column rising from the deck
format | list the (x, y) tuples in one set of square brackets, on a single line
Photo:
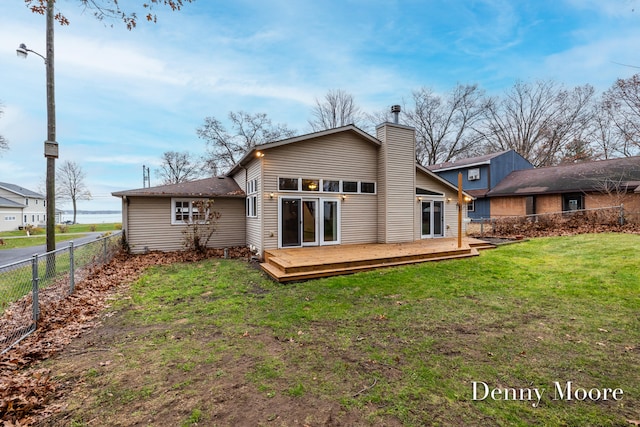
[(396, 164)]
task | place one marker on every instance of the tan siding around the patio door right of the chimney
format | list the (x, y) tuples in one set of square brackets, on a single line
[(450, 208)]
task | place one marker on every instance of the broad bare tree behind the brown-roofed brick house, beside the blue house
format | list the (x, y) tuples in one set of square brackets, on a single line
[(538, 120)]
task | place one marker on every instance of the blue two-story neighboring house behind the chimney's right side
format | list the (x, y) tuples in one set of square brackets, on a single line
[(480, 175)]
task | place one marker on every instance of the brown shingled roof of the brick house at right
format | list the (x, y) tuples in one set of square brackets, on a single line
[(575, 177)]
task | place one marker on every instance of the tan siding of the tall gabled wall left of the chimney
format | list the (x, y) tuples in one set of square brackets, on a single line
[(342, 156)]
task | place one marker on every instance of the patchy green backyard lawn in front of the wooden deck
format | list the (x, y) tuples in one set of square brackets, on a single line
[(216, 343)]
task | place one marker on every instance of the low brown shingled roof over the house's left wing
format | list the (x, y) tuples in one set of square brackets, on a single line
[(220, 186)]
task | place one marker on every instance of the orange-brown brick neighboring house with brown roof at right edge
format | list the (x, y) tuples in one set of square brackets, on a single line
[(586, 185)]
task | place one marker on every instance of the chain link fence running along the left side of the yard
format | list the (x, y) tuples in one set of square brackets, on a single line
[(45, 278)]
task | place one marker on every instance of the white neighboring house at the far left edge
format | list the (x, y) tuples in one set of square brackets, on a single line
[(20, 207)]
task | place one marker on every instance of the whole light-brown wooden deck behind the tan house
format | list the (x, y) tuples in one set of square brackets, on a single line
[(322, 261)]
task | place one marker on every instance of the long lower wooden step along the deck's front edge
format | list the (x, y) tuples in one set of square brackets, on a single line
[(319, 270)]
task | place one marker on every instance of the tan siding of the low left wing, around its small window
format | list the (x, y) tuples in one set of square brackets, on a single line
[(149, 224)]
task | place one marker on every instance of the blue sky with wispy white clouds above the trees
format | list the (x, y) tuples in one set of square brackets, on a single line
[(124, 97)]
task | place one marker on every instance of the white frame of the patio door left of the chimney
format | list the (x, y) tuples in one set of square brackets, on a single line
[(318, 221)]
